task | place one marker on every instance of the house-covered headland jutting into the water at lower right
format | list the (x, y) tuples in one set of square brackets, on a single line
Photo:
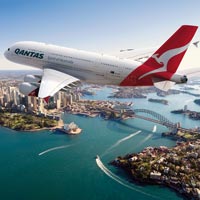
[(177, 168)]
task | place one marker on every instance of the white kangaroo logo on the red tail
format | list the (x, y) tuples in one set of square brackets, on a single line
[(164, 59)]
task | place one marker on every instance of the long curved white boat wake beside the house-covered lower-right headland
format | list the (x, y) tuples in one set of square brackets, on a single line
[(117, 178)]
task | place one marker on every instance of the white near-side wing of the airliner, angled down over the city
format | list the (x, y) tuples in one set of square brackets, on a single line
[(53, 81)]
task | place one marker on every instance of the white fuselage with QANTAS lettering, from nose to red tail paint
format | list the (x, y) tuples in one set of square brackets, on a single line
[(86, 66)]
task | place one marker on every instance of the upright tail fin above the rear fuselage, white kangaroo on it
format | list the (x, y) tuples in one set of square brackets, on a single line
[(168, 57)]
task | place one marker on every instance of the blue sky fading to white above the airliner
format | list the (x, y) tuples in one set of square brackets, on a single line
[(104, 26)]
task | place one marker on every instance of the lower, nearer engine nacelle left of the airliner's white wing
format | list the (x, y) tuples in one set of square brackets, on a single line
[(29, 89)]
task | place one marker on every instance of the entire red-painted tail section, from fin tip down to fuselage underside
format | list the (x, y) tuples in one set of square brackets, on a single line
[(165, 61)]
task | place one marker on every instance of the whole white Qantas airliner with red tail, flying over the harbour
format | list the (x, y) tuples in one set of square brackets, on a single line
[(64, 67)]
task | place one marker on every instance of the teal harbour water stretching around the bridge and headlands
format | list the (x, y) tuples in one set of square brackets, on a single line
[(46, 165)]
